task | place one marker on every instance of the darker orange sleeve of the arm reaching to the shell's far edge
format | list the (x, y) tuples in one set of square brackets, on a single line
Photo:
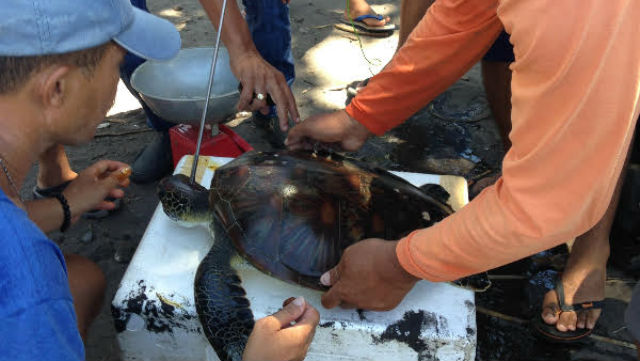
[(447, 42)]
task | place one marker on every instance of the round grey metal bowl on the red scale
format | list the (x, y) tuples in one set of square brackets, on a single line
[(176, 89)]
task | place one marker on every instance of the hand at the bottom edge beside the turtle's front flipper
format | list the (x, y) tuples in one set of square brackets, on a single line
[(275, 338)]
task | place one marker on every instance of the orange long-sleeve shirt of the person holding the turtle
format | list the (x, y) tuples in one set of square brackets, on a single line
[(575, 100)]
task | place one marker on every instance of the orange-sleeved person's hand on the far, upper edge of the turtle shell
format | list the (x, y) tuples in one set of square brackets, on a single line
[(337, 127)]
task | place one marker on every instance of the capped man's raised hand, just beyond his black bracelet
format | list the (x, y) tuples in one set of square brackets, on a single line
[(97, 182)]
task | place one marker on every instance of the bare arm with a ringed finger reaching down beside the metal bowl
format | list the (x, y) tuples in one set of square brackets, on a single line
[(255, 73)]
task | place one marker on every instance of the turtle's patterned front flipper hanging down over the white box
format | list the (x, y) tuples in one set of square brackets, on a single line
[(221, 304)]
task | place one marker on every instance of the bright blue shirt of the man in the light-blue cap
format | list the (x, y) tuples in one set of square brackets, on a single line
[(37, 318)]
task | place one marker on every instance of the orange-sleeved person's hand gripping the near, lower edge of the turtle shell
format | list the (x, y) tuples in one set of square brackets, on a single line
[(368, 276)]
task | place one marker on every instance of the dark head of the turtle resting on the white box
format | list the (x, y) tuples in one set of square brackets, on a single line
[(184, 202)]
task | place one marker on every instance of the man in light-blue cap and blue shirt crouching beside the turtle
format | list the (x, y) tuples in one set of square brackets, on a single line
[(59, 66)]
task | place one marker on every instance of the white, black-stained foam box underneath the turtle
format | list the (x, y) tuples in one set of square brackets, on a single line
[(163, 269)]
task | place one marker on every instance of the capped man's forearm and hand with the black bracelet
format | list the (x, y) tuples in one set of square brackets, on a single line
[(88, 191)]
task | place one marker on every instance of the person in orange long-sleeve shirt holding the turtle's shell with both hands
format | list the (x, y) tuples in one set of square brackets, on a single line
[(574, 107)]
